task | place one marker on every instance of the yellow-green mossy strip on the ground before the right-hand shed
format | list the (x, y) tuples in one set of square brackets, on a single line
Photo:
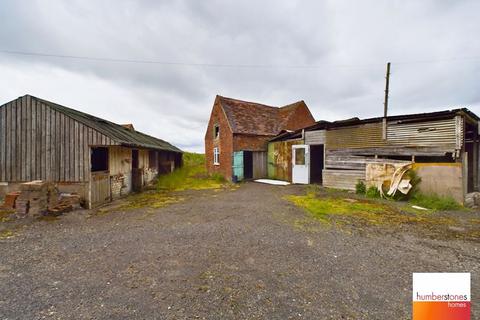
[(359, 213)]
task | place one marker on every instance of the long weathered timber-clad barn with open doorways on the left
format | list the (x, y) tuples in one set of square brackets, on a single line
[(98, 159)]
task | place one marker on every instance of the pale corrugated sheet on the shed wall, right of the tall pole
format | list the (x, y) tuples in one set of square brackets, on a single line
[(427, 133)]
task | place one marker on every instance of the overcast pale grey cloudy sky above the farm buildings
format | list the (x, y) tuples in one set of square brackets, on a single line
[(160, 64)]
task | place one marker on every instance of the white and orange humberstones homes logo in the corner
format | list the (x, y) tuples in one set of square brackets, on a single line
[(441, 296)]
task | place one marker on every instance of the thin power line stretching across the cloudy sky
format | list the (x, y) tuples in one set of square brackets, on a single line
[(217, 65)]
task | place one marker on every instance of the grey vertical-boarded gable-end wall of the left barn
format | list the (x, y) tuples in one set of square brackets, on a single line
[(39, 143)]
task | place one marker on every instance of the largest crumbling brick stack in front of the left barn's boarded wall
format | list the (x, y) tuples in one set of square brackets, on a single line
[(35, 198)]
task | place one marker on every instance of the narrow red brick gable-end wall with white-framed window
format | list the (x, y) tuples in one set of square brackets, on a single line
[(224, 143)]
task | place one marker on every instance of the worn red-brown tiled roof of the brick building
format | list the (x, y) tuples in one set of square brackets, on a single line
[(257, 119)]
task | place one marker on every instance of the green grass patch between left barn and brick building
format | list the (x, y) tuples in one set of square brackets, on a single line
[(192, 176)]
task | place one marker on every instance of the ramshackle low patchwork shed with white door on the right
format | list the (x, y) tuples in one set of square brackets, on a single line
[(442, 147)]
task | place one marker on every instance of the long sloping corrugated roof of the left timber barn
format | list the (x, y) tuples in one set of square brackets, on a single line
[(116, 132)]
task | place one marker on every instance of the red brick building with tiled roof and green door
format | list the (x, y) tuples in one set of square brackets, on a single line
[(238, 133)]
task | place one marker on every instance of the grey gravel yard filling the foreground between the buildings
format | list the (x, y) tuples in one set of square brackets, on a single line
[(234, 254)]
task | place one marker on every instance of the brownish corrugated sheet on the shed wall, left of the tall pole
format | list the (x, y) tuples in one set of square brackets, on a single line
[(360, 136)]
